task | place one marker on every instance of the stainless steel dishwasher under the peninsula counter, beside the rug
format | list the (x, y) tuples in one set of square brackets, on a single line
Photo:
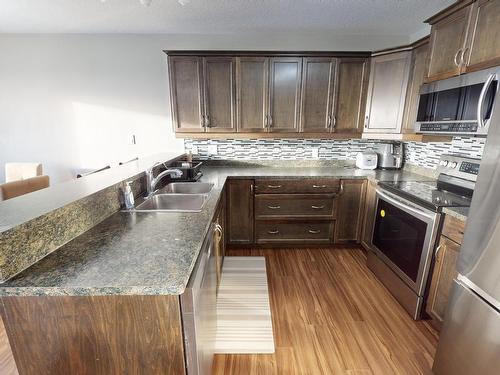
[(199, 311)]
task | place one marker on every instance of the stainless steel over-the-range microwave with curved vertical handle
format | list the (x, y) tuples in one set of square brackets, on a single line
[(459, 106)]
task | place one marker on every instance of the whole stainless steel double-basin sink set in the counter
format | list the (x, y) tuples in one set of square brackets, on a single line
[(177, 197)]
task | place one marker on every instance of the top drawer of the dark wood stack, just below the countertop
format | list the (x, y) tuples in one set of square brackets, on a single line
[(308, 185)]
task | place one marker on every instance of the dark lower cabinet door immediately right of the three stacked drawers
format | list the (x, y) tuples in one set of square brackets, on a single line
[(351, 204)]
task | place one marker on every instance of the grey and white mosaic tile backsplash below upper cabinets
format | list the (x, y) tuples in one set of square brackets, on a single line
[(421, 154)]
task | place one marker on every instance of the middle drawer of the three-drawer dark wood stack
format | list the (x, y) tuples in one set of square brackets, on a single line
[(293, 206)]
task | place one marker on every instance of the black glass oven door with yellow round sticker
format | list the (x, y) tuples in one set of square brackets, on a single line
[(403, 236)]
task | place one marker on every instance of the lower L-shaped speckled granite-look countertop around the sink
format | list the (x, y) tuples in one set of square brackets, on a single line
[(152, 253)]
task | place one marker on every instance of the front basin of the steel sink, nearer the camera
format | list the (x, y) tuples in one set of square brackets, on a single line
[(173, 202)]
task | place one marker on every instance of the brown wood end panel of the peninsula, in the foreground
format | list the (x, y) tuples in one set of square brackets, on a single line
[(102, 335)]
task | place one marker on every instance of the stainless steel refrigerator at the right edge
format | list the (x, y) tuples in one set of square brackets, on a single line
[(470, 338)]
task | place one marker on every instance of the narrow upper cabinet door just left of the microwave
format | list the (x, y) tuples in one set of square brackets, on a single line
[(419, 61)]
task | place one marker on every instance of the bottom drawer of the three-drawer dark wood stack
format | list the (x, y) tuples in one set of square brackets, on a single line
[(292, 232)]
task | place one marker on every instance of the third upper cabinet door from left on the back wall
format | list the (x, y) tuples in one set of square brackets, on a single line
[(252, 84)]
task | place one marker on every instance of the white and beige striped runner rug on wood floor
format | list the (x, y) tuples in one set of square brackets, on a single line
[(243, 311)]
